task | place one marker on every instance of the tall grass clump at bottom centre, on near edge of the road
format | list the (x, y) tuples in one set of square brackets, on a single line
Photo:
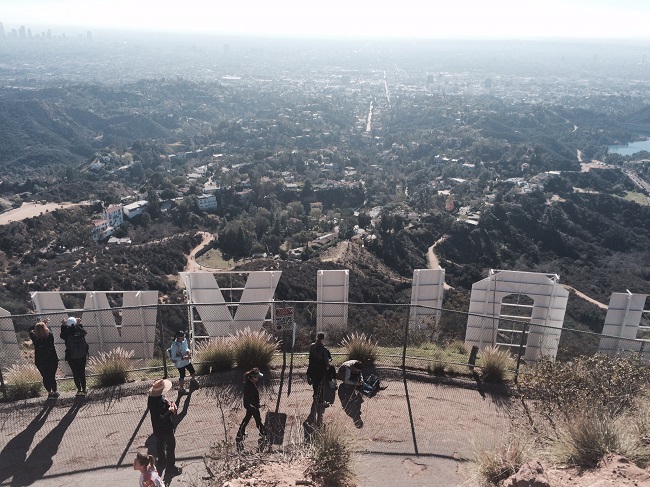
[(330, 456)]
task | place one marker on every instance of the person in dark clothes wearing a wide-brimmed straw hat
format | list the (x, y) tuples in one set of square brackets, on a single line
[(162, 412)]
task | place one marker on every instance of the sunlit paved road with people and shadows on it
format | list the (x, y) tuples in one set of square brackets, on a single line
[(92, 441)]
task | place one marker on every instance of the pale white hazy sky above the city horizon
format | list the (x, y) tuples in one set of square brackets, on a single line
[(623, 19)]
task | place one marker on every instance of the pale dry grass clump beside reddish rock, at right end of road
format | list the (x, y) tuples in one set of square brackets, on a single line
[(498, 462)]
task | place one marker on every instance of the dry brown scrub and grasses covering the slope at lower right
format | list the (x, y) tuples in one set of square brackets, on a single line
[(578, 411)]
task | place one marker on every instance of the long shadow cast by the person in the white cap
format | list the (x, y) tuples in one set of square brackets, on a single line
[(40, 459)]
